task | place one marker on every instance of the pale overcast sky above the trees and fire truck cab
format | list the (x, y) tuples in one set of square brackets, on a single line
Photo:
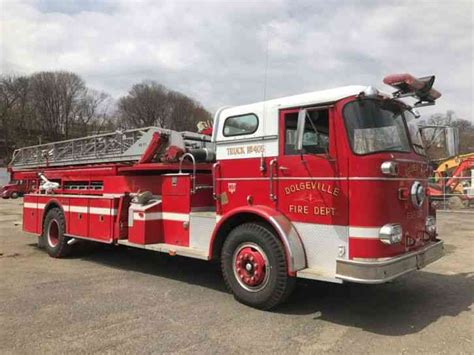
[(215, 51)]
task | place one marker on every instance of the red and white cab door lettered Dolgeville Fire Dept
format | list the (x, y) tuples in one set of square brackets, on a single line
[(311, 188)]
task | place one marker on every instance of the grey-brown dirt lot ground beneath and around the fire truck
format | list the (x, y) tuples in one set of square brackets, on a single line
[(116, 299)]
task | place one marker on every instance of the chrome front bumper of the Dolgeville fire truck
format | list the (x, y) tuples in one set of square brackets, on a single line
[(374, 272)]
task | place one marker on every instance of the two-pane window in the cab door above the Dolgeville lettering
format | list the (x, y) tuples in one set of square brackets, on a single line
[(316, 132)]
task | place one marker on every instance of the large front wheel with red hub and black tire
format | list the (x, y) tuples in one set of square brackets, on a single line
[(256, 239)]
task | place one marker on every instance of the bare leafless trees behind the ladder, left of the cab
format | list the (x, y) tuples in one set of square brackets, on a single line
[(51, 106)]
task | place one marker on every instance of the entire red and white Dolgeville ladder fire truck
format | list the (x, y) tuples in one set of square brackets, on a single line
[(327, 185)]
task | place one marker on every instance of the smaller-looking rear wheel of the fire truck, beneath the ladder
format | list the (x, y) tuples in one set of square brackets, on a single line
[(53, 236)]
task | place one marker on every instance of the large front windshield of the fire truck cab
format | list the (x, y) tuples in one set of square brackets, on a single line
[(376, 126)]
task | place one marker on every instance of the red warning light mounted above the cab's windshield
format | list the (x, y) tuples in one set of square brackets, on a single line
[(408, 85)]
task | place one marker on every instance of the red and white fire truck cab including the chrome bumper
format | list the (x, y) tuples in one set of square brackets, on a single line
[(343, 167)]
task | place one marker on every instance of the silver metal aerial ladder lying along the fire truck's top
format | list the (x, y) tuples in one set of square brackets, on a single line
[(129, 146)]
